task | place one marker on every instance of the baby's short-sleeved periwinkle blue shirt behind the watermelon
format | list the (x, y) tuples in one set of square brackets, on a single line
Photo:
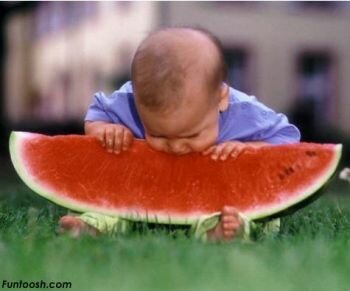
[(246, 119)]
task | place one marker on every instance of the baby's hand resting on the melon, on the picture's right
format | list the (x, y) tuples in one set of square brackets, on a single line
[(224, 150)]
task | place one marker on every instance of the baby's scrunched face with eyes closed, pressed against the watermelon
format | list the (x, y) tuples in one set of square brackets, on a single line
[(191, 128)]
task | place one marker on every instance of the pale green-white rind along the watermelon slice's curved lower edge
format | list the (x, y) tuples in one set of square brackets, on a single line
[(17, 137)]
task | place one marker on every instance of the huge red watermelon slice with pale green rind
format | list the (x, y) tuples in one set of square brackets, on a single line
[(75, 171)]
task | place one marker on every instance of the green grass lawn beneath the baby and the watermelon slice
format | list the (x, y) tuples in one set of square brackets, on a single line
[(310, 253)]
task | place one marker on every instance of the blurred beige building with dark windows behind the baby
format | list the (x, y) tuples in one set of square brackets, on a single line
[(294, 56)]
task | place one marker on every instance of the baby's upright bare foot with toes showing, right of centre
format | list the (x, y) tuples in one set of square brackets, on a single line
[(228, 227)]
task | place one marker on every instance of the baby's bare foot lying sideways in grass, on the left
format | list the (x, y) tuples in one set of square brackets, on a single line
[(75, 226)]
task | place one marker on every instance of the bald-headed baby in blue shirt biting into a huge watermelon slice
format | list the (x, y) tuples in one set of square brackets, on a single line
[(179, 103)]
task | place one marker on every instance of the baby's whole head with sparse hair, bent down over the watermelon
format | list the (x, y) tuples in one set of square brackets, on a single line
[(177, 78)]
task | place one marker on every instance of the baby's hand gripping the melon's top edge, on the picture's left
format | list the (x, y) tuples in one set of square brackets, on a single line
[(114, 137)]
